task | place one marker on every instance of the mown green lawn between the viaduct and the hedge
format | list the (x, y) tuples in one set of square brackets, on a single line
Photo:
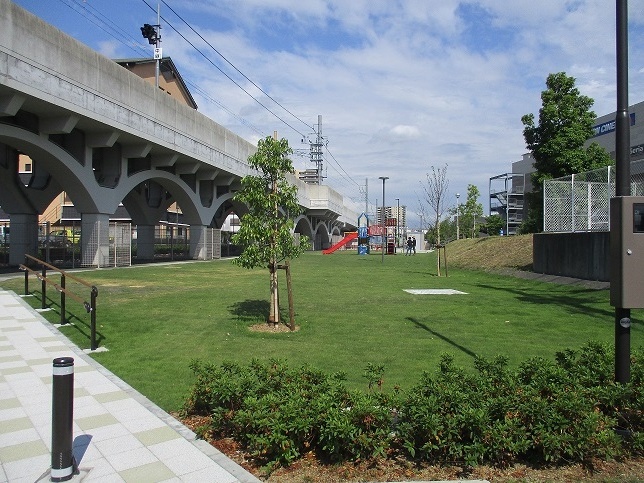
[(351, 310)]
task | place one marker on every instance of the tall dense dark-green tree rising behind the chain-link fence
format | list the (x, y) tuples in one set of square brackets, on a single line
[(557, 142)]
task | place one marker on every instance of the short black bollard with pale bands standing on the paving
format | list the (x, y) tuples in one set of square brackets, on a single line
[(62, 416)]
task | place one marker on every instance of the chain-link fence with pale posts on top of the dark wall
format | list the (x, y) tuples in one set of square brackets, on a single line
[(581, 202)]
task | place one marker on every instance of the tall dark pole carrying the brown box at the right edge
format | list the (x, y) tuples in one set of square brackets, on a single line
[(622, 183)]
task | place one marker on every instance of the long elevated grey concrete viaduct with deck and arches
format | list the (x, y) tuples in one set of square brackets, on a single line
[(105, 136)]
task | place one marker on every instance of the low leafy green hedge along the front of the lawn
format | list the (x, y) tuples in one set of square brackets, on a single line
[(551, 412)]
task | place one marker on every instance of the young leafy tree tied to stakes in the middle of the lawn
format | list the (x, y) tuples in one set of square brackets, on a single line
[(266, 230)]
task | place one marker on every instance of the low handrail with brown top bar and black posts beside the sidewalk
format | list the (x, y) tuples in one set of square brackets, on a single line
[(90, 306)]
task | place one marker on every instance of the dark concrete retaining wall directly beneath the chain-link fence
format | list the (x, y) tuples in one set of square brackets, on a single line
[(582, 255)]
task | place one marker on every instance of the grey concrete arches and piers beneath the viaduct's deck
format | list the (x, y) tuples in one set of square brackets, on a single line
[(146, 195)]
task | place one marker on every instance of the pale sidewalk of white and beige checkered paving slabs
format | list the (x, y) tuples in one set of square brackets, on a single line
[(119, 435)]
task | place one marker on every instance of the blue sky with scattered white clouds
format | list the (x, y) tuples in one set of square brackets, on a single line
[(401, 85)]
